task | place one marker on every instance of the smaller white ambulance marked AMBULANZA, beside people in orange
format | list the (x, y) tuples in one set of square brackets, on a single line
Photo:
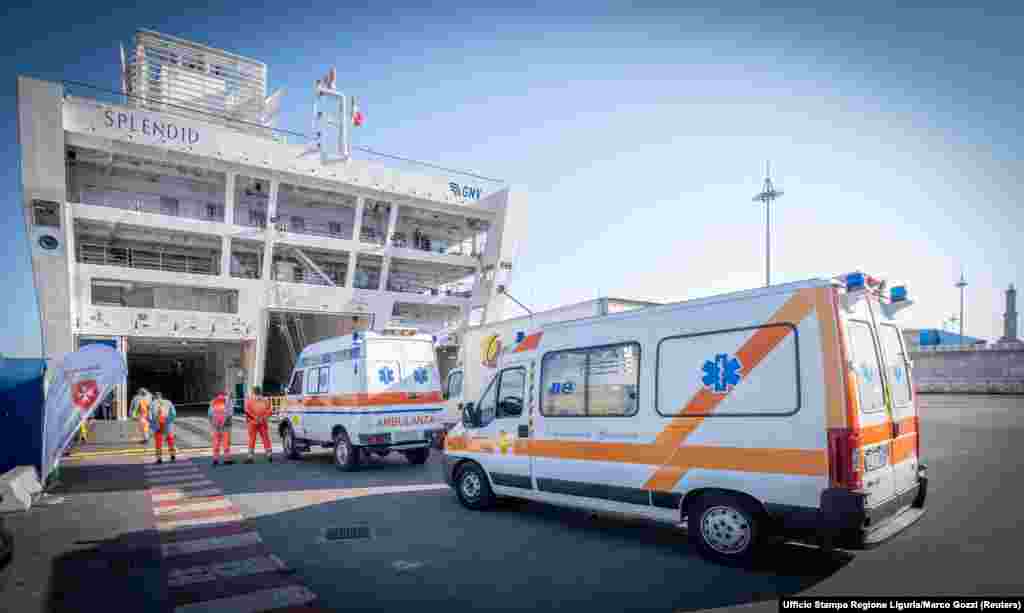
[(369, 393)]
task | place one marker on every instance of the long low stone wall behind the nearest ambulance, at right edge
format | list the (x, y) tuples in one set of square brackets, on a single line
[(988, 371)]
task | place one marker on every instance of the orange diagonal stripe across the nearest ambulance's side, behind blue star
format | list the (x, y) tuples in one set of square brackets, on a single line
[(704, 403)]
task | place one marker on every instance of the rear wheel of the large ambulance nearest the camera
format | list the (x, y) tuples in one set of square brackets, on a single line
[(727, 530)]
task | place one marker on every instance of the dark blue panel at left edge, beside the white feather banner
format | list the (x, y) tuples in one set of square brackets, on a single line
[(22, 401)]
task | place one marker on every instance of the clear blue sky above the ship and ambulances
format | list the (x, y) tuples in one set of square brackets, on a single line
[(639, 133)]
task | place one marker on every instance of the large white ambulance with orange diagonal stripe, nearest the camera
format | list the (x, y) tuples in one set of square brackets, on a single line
[(781, 413)]
